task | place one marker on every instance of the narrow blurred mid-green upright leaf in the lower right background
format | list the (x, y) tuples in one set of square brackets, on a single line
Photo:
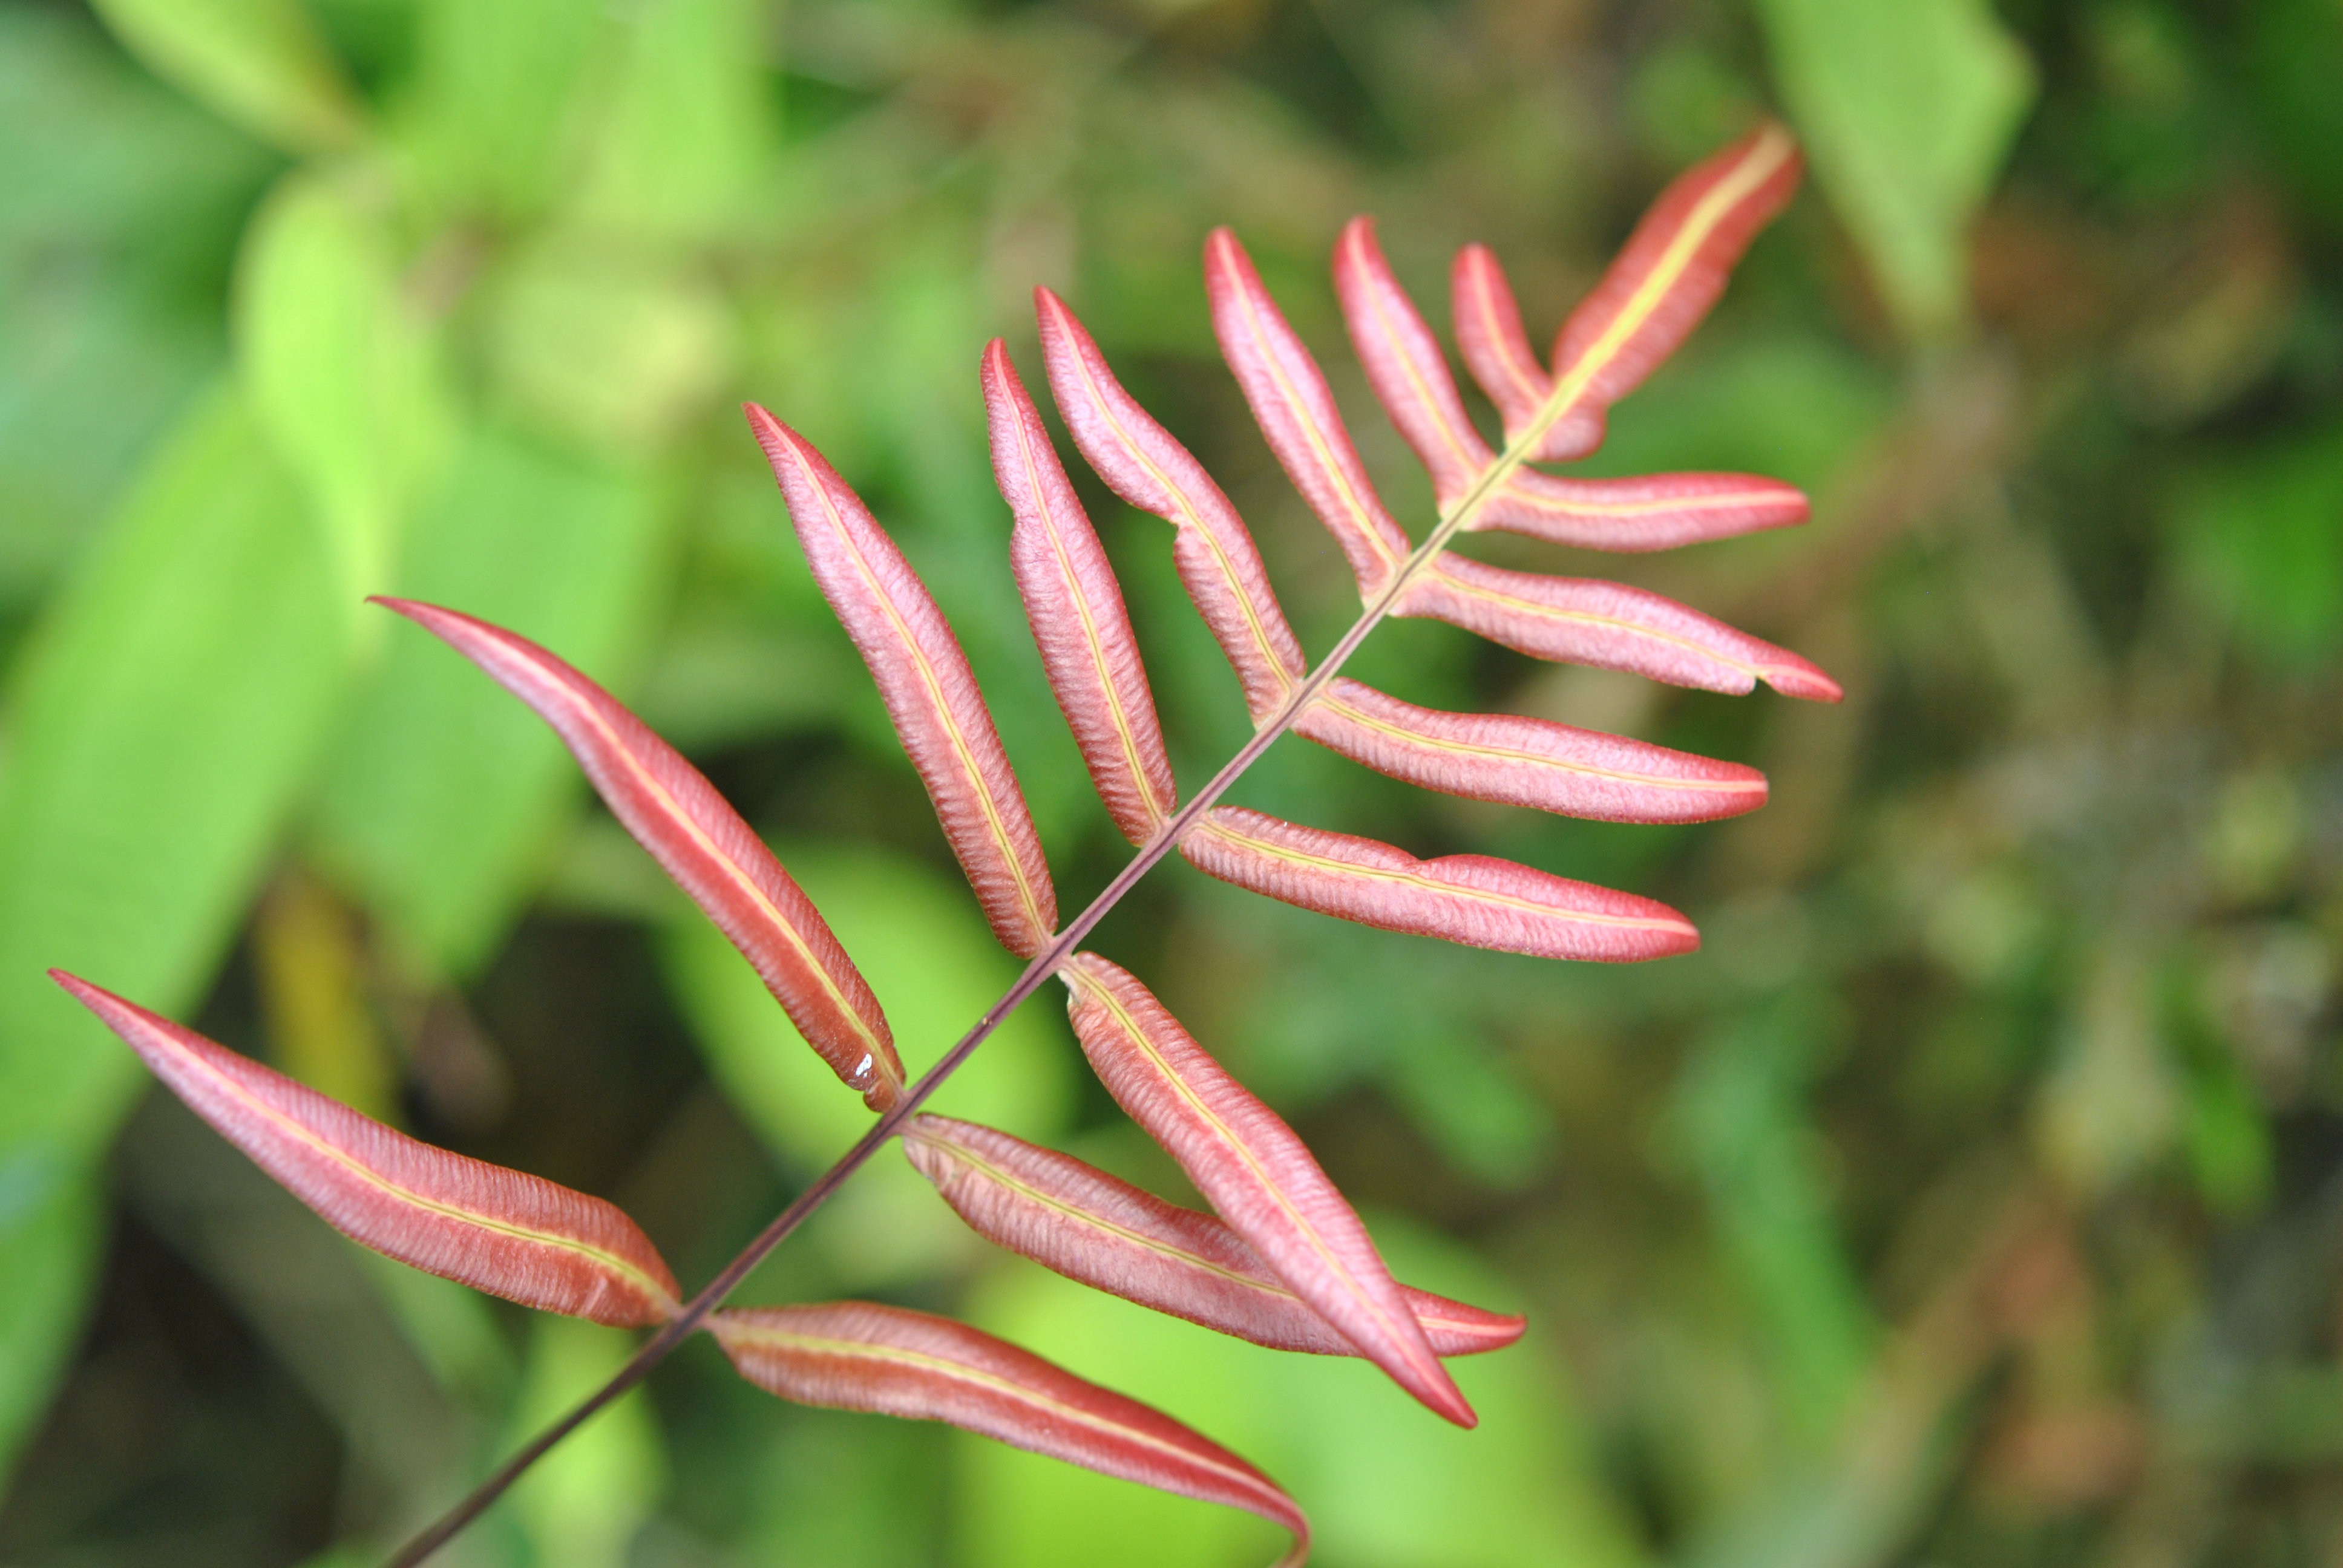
[(1744, 1124)]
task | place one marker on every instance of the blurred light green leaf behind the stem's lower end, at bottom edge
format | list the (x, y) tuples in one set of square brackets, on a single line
[(587, 1499)]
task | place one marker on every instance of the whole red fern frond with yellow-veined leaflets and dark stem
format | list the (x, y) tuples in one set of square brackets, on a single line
[(1285, 1262)]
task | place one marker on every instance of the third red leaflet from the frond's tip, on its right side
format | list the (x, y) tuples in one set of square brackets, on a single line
[(1529, 763)]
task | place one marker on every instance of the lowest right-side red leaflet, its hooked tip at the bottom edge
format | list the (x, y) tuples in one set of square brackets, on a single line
[(854, 1356)]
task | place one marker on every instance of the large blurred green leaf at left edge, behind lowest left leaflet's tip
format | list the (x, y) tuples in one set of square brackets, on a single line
[(160, 723)]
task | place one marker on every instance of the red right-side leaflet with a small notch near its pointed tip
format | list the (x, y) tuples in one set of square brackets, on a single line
[(1608, 627)]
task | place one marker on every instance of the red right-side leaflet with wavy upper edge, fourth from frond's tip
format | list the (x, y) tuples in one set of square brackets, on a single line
[(1475, 901)]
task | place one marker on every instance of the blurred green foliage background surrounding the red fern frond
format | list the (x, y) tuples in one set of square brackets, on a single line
[(1976, 1197)]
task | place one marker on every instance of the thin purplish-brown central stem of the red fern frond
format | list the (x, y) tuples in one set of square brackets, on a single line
[(1034, 976)]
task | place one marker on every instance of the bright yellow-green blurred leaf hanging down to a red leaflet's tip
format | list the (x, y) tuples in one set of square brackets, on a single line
[(339, 367)]
